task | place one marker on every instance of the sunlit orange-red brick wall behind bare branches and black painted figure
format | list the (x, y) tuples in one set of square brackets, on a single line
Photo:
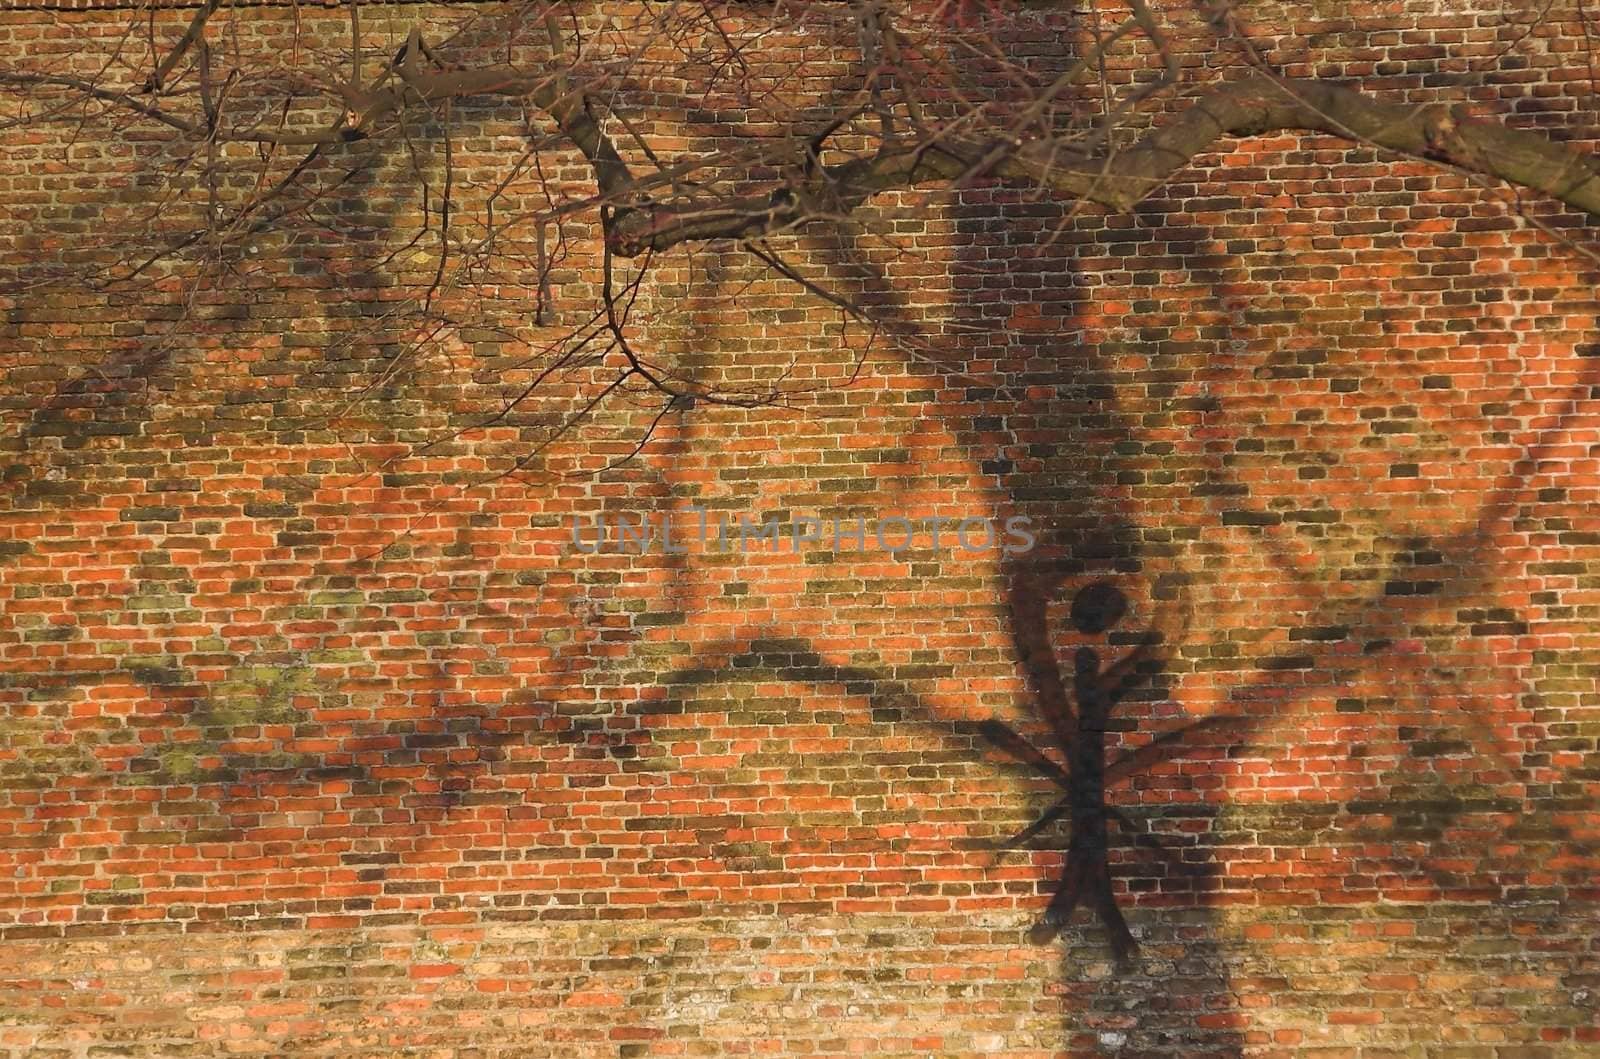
[(322, 733)]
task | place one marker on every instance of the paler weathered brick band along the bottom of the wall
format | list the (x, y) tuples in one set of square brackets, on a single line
[(1311, 981)]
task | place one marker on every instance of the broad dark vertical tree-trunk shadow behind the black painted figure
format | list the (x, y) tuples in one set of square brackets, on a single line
[(1071, 458)]
